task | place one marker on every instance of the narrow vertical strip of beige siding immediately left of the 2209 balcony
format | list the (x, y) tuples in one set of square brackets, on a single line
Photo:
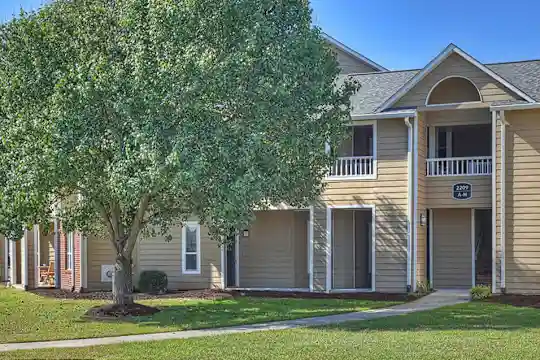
[(421, 231)]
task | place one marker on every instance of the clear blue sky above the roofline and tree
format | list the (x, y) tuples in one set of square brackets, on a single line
[(403, 34)]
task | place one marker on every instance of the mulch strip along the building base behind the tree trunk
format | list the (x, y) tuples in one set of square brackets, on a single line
[(107, 295)]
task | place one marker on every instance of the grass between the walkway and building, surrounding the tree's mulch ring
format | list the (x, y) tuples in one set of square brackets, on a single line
[(28, 317)]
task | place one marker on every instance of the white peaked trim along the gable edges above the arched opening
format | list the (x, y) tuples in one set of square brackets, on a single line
[(450, 49)]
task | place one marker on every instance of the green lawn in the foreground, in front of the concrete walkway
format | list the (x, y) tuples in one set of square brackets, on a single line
[(469, 331)]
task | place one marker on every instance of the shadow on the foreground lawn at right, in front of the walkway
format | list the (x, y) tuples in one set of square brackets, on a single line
[(471, 316)]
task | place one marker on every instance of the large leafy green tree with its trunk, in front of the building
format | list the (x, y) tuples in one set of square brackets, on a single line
[(136, 114)]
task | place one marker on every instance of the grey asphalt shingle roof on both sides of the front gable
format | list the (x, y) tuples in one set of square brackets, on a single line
[(377, 87)]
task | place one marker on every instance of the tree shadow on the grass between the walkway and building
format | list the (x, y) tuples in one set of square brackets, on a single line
[(205, 314)]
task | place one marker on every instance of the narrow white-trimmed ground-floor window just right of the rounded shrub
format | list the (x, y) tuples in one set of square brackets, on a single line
[(191, 248)]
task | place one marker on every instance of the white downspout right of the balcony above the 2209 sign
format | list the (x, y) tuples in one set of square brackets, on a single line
[(494, 201)]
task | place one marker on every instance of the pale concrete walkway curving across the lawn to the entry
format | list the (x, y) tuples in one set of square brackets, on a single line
[(433, 301)]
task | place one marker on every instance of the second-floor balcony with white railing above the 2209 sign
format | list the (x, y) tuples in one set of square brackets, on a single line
[(463, 150)]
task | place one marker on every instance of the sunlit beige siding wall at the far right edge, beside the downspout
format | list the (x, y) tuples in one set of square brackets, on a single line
[(522, 201)]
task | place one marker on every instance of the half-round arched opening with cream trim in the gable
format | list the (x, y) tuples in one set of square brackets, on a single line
[(453, 90)]
